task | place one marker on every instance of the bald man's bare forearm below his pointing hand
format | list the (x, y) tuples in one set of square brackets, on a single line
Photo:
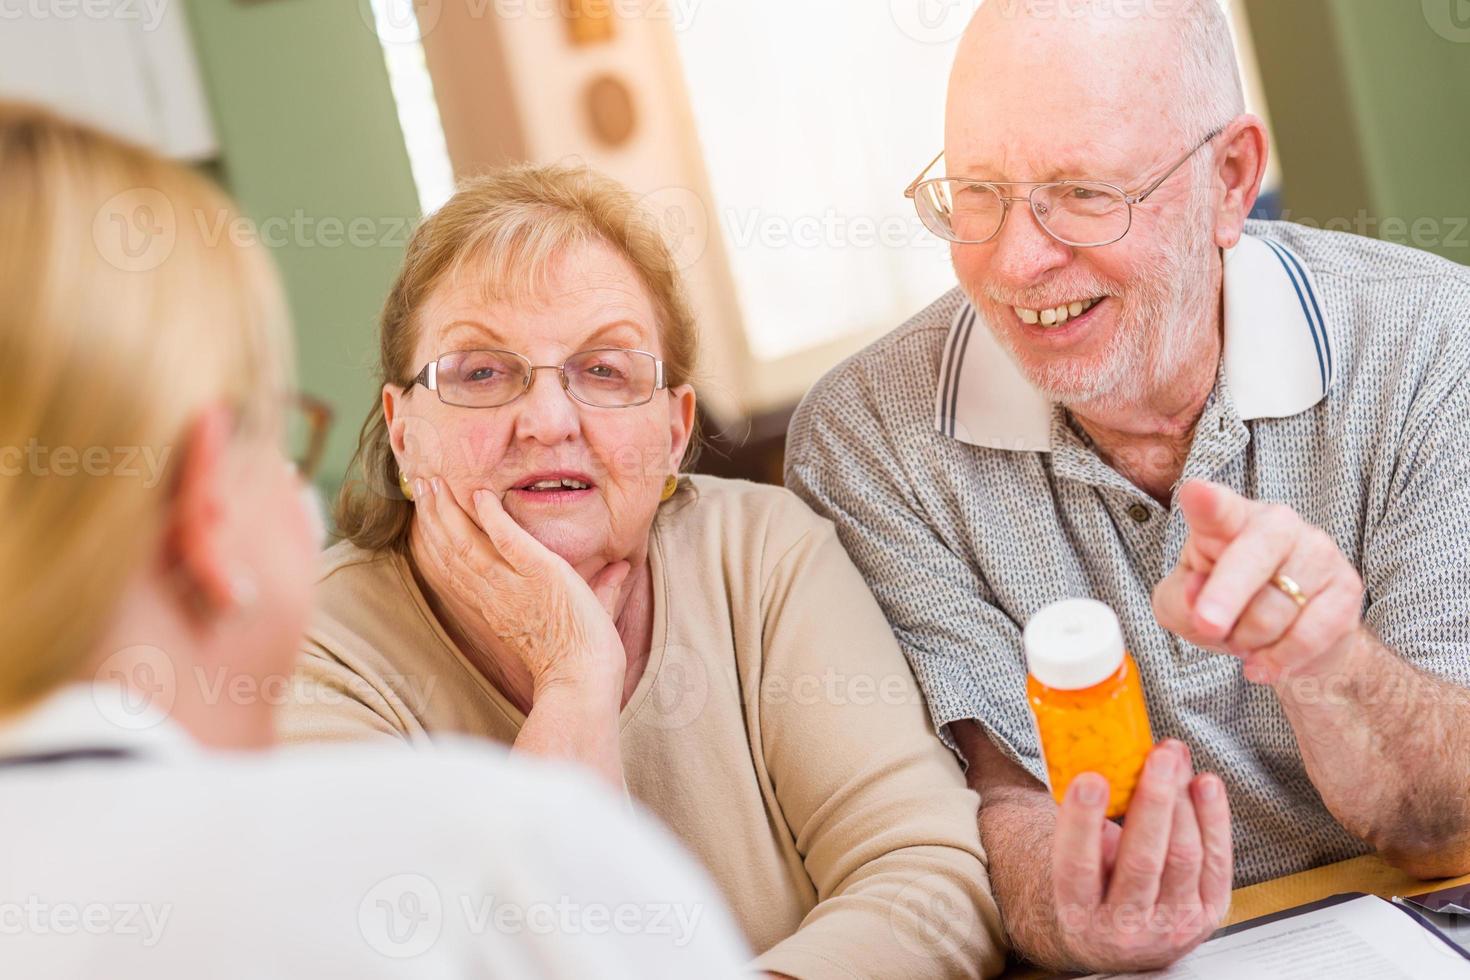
[(1388, 747)]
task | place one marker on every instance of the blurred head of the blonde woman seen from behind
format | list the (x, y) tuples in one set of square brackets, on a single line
[(145, 368)]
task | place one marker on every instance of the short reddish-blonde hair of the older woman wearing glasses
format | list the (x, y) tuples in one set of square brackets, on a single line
[(508, 231)]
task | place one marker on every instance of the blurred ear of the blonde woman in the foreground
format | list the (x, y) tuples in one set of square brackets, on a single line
[(196, 547)]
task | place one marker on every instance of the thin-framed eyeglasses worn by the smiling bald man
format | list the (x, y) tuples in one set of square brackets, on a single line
[(1078, 214)]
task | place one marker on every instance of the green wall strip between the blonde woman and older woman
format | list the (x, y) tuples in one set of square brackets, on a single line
[(312, 151)]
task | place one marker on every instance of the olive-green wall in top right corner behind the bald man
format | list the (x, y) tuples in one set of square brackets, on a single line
[(1371, 102)]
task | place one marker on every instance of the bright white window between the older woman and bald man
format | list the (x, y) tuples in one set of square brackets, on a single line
[(814, 118)]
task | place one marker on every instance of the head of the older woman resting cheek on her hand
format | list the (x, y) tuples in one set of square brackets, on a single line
[(545, 262)]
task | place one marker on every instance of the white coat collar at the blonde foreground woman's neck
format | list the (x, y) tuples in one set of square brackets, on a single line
[(95, 716)]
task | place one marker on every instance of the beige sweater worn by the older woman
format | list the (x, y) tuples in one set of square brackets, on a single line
[(777, 731)]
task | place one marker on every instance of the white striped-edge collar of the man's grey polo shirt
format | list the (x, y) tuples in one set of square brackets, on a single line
[(1278, 356)]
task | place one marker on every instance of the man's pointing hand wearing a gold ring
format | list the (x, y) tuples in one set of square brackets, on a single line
[(1224, 594)]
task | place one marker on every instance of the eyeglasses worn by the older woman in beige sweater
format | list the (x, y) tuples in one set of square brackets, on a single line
[(606, 378)]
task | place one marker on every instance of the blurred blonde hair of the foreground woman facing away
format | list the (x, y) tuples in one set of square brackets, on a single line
[(120, 323)]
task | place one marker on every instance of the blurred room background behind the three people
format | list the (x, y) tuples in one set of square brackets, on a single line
[(774, 140)]
